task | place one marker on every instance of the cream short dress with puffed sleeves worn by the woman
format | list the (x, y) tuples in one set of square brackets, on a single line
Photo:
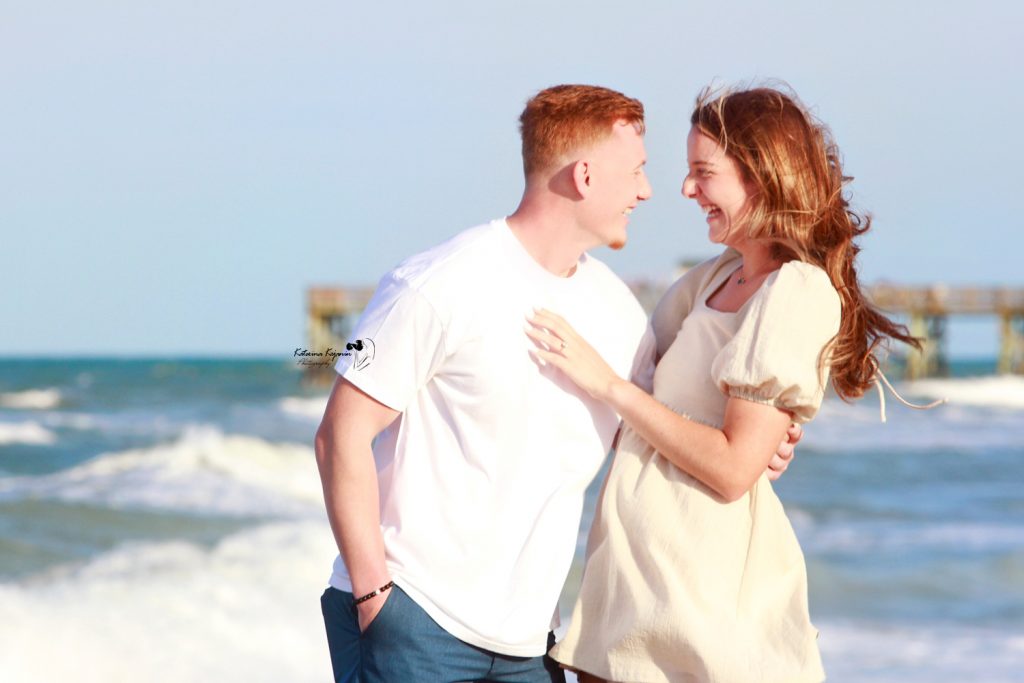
[(679, 585)]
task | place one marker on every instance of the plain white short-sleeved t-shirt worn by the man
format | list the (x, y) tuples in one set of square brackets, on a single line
[(483, 477)]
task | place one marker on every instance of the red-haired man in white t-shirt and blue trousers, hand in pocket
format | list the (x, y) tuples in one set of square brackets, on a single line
[(457, 527)]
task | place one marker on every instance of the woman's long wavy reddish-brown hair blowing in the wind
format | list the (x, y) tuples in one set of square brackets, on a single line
[(800, 207)]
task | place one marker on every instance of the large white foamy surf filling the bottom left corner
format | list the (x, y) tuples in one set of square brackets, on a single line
[(245, 611)]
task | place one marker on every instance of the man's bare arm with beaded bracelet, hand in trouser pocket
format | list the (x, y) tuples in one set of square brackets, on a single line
[(349, 475)]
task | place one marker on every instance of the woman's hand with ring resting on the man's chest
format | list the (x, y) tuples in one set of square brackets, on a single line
[(560, 346)]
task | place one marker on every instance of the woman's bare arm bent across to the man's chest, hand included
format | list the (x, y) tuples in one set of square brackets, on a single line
[(729, 460)]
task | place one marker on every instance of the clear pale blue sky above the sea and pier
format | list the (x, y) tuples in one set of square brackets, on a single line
[(174, 176)]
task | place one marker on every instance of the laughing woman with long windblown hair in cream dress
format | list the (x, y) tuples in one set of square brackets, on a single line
[(694, 572)]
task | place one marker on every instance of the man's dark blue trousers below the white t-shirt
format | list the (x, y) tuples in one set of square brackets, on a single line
[(404, 646)]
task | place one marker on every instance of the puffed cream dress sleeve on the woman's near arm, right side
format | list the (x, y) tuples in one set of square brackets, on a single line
[(777, 356)]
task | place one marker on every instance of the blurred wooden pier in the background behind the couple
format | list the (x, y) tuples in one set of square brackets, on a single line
[(332, 313)]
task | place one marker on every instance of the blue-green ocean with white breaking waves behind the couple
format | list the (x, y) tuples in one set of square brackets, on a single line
[(162, 521)]
